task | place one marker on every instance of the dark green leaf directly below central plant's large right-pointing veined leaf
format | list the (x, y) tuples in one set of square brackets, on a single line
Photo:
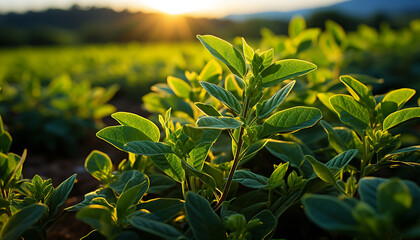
[(289, 152)]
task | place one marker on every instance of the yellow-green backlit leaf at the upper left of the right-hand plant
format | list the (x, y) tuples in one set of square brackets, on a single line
[(359, 91)]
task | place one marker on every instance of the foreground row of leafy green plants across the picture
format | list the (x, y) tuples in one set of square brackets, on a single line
[(202, 173)]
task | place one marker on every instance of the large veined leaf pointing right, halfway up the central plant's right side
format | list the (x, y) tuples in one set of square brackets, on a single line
[(291, 120)]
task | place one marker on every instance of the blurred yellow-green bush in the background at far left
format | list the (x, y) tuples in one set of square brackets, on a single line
[(58, 115)]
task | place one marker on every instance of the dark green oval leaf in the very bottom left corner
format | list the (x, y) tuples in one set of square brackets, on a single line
[(21, 221)]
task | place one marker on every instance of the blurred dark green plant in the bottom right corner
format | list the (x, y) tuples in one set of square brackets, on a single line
[(386, 210)]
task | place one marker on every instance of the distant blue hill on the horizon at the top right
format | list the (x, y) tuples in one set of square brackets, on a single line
[(352, 8)]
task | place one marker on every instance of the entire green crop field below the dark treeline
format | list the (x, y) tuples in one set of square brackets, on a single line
[(310, 135)]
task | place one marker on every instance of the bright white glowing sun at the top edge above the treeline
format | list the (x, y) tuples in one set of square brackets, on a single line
[(176, 7)]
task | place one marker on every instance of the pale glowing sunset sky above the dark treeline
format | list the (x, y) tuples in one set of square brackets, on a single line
[(205, 8)]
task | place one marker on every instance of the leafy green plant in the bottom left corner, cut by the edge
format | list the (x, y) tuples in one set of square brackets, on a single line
[(27, 206)]
